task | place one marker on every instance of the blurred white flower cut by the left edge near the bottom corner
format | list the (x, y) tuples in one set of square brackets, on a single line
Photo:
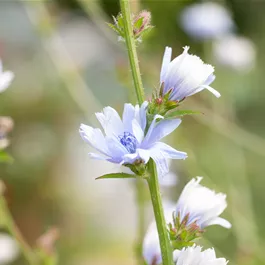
[(8, 249)]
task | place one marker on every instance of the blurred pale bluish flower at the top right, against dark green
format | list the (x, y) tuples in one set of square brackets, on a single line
[(206, 21)]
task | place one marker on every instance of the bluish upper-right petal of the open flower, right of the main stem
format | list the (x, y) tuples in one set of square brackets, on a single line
[(159, 130)]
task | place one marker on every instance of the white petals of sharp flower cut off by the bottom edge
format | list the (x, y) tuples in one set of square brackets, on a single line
[(195, 256)]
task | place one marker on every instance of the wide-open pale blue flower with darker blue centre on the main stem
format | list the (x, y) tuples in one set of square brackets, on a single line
[(125, 141)]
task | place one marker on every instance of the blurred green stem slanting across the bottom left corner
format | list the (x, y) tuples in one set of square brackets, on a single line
[(14, 231)]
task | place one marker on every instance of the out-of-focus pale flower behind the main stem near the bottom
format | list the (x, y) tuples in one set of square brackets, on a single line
[(151, 246)]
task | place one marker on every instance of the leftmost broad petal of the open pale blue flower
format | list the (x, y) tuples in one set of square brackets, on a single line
[(95, 138)]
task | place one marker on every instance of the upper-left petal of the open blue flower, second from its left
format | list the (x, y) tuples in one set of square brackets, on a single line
[(110, 121)]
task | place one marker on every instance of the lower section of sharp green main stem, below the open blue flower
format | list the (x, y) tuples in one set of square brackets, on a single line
[(154, 188)]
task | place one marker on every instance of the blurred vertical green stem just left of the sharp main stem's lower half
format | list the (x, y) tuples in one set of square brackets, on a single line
[(140, 198)]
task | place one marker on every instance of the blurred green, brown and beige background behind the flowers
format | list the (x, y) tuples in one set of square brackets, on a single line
[(67, 66)]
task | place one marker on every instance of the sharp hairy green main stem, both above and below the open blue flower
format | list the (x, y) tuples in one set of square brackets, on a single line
[(154, 188)]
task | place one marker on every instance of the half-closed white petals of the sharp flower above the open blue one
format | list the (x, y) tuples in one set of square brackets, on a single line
[(186, 75)]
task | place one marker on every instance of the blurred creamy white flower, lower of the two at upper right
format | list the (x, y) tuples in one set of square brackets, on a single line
[(238, 53)]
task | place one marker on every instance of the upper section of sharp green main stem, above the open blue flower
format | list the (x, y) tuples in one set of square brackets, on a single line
[(129, 37)]
